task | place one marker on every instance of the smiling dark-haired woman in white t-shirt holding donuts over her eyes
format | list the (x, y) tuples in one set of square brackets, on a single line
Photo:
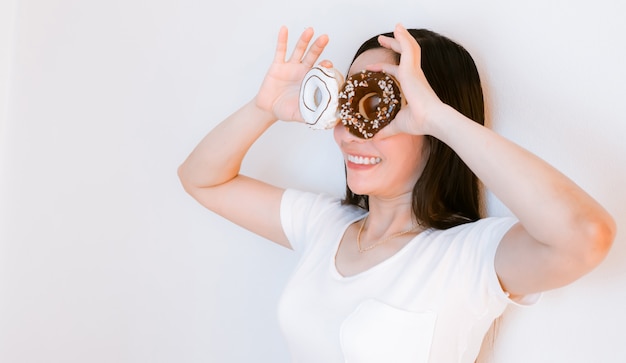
[(404, 269)]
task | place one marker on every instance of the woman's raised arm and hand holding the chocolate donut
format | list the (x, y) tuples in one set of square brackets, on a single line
[(563, 233)]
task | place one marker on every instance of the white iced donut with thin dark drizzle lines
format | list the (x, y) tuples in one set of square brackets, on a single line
[(319, 97)]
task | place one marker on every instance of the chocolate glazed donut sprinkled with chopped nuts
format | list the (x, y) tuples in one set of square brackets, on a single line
[(368, 102)]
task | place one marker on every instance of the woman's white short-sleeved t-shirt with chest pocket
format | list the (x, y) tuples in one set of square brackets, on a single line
[(433, 301)]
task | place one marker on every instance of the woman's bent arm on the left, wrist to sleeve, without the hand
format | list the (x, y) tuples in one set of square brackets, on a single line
[(211, 175)]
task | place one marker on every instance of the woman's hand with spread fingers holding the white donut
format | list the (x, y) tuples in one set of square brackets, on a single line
[(280, 90)]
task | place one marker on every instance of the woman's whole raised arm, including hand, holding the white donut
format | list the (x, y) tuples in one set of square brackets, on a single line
[(211, 172)]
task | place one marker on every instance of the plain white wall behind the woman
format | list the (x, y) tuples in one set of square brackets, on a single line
[(105, 259)]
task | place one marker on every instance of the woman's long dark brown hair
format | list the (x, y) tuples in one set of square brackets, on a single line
[(447, 193)]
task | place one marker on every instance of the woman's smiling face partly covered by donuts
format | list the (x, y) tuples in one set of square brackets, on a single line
[(381, 167)]
